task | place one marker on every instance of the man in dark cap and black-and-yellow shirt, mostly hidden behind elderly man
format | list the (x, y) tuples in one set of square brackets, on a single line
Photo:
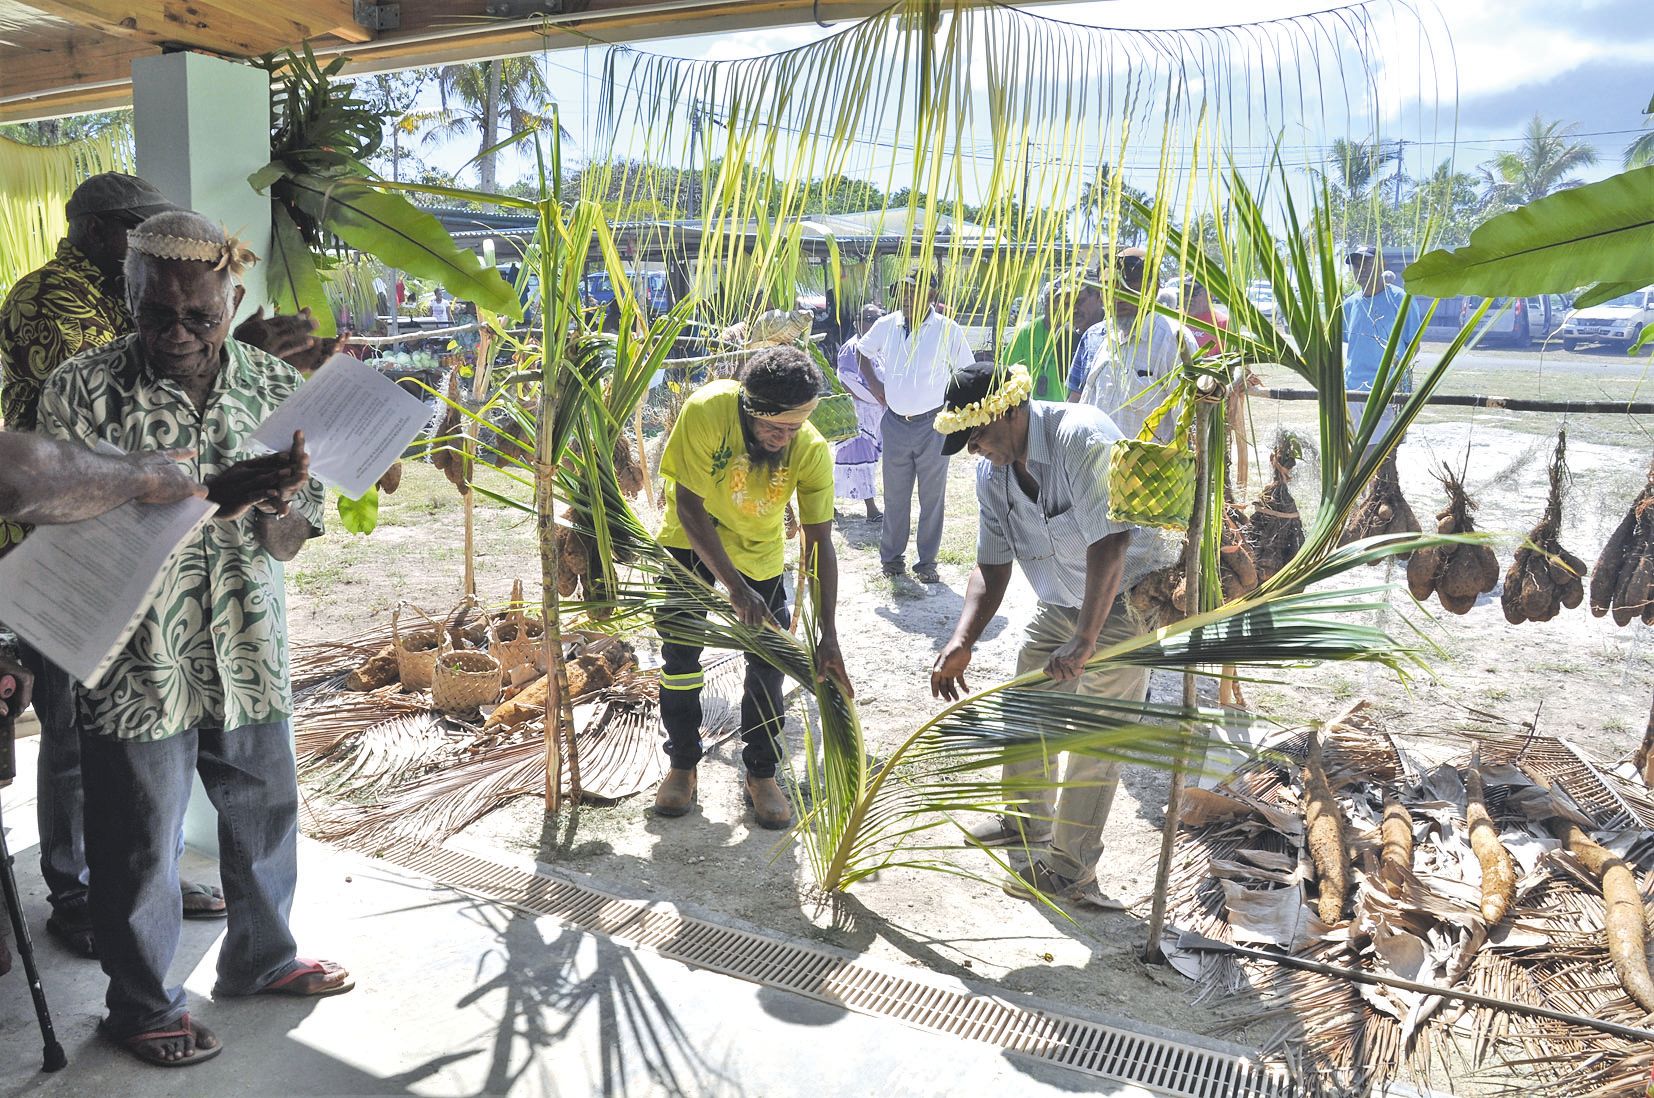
[(75, 303)]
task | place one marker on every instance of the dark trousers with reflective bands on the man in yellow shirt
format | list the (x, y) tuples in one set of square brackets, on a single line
[(682, 682)]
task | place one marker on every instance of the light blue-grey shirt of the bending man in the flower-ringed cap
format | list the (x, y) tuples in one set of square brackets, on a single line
[(1049, 537)]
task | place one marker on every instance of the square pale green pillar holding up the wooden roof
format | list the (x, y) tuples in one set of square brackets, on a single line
[(203, 127)]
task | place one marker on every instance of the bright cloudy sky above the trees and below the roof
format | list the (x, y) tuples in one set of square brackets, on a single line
[(1486, 67)]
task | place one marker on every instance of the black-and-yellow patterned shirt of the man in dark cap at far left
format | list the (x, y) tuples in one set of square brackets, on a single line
[(50, 317)]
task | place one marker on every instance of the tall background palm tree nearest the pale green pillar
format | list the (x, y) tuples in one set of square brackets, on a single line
[(484, 95)]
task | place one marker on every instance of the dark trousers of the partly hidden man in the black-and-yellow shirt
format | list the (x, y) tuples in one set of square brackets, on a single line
[(59, 800)]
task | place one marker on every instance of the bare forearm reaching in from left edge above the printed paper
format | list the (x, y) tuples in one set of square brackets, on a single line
[(45, 482)]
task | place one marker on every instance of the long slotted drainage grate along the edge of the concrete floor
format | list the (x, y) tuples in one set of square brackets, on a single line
[(1172, 1066)]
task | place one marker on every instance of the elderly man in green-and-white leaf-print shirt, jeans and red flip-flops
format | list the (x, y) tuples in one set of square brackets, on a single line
[(203, 685)]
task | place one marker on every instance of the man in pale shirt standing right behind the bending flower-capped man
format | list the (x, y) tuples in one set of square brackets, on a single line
[(1122, 358)]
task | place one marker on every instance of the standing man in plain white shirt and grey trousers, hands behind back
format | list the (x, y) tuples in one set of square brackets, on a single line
[(919, 351)]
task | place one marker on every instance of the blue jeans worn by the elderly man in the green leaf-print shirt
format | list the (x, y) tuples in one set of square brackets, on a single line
[(138, 793)]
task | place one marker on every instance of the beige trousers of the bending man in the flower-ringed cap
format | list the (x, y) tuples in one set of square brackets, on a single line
[(1081, 808)]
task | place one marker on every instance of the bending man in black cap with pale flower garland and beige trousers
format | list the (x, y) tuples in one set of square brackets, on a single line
[(1043, 492)]
